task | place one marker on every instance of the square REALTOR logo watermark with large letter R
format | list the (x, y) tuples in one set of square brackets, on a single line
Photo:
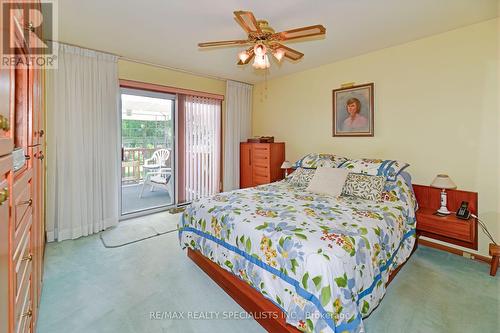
[(28, 27)]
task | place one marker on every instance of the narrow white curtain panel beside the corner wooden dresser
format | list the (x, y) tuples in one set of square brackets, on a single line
[(238, 127)]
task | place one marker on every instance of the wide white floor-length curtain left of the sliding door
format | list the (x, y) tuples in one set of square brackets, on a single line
[(82, 143)]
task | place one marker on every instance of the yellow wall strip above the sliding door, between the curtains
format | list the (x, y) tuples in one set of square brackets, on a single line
[(151, 74)]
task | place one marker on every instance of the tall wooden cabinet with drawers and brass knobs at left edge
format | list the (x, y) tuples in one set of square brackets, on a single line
[(21, 193)]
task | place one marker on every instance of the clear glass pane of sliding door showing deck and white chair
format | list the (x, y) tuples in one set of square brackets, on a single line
[(147, 150)]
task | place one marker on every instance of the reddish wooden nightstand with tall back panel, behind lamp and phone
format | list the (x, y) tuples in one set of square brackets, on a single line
[(449, 228)]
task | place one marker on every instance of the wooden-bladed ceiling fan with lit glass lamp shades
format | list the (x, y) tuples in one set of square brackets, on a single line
[(263, 38)]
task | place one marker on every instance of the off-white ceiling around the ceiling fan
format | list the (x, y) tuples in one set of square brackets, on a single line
[(167, 32)]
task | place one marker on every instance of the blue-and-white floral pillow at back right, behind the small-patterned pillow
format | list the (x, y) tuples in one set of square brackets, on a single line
[(390, 169)]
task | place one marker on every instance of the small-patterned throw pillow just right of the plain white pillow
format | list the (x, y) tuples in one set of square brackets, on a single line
[(364, 186)]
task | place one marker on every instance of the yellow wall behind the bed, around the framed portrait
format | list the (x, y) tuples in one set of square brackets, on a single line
[(436, 107)]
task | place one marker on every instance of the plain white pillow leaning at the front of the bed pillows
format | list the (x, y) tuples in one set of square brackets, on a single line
[(328, 181)]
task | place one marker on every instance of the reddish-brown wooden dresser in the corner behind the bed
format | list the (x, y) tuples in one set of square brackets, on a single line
[(260, 163)]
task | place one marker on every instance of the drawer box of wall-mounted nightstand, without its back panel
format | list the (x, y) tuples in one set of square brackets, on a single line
[(449, 228)]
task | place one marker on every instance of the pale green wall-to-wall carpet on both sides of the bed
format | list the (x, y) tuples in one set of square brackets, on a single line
[(88, 288)]
